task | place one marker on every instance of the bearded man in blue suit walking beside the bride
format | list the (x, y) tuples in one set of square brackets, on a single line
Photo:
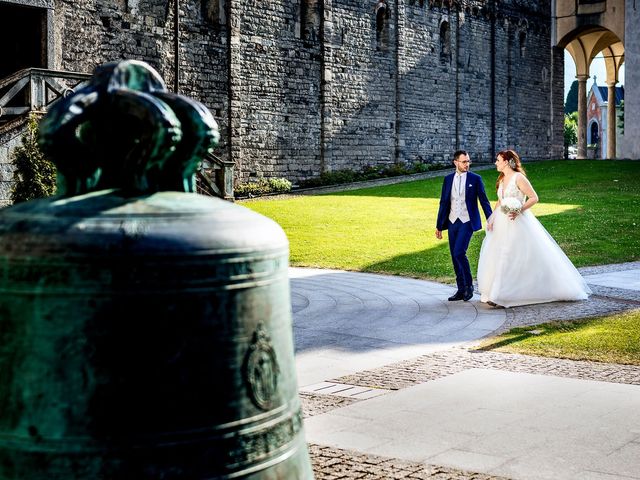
[(459, 213)]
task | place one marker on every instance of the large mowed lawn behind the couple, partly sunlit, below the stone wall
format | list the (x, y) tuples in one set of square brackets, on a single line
[(590, 207)]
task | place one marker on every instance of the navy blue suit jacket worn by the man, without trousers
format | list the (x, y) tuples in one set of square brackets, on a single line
[(474, 192)]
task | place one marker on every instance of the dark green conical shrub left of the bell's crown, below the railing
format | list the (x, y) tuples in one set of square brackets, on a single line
[(35, 176)]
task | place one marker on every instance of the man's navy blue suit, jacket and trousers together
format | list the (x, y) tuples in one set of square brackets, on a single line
[(460, 233)]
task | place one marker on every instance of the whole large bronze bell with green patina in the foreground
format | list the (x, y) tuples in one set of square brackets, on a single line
[(145, 332)]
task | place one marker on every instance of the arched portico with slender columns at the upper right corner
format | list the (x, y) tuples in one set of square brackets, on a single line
[(589, 27)]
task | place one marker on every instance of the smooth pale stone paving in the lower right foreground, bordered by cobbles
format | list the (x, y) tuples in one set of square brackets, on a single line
[(502, 423)]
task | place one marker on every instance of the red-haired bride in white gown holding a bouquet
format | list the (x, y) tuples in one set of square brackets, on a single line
[(520, 263)]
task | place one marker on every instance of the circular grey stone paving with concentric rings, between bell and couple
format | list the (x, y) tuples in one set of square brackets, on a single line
[(345, 322)]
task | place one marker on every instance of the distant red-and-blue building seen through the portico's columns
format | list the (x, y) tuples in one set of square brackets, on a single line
[(597, 104)]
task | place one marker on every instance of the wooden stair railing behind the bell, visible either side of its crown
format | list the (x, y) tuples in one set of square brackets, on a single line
[(35, 89)]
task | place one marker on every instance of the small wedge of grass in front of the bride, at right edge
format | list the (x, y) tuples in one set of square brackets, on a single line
[(611, 339)]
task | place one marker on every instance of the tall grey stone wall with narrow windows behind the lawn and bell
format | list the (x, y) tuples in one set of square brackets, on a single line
[(303, 86)]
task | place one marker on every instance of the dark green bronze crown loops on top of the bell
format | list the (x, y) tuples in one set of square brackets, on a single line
[(126, 131)]
